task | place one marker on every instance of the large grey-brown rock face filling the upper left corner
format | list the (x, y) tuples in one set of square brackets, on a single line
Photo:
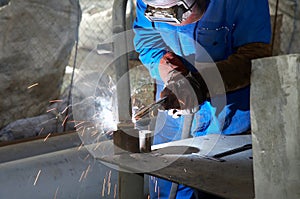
[(36, 40)]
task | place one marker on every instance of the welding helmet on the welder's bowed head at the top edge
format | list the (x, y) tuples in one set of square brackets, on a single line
[(172, 11)]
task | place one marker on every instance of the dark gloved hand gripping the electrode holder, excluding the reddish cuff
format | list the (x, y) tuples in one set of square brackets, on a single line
[(184, 93)]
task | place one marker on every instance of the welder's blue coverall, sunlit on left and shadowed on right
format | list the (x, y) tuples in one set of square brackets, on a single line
[(225, 26)]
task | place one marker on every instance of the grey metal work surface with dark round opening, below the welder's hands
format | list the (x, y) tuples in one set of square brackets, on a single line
[(189, 162)]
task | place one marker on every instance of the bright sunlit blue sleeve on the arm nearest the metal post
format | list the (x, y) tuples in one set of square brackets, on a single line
[(147, 41)]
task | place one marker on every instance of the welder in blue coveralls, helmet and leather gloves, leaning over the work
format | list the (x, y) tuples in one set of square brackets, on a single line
[(171, 36)]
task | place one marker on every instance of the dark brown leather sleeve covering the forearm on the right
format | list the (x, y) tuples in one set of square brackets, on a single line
[(235, 72)]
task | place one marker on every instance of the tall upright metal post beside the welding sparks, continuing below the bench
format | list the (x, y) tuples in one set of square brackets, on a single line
[(130, 184)]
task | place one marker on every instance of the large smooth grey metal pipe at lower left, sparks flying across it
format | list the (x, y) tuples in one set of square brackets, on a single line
[(65, 173)]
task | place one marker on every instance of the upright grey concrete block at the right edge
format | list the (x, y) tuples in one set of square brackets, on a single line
[(275, 118)]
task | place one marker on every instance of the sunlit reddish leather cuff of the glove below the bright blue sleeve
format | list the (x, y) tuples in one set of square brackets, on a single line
[(171, 63)]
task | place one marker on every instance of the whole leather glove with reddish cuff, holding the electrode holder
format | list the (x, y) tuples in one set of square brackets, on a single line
[(183, 90)]
